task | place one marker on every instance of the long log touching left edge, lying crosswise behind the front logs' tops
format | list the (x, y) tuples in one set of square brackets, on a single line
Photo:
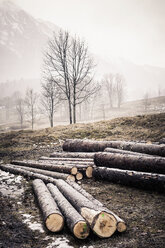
[(33, 175)]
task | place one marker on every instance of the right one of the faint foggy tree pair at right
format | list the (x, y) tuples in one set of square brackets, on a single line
[(119, 87)]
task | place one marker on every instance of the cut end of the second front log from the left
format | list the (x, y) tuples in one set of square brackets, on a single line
[(81, 230)]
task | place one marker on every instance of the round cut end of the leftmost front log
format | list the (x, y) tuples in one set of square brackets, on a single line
[(54, 222)]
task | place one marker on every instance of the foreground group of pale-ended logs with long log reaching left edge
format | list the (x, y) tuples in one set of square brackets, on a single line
[(59, 200)]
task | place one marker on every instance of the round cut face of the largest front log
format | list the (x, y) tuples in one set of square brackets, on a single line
[(105, 225)]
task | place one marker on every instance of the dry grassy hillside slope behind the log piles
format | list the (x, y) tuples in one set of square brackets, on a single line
[(149, 128)]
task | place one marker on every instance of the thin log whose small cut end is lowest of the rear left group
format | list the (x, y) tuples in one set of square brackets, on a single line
[(53, 174)]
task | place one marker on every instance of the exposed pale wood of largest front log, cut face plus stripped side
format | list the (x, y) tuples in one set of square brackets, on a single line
[(103, 224)]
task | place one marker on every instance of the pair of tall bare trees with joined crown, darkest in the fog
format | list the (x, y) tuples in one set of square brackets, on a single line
[(68, 64)]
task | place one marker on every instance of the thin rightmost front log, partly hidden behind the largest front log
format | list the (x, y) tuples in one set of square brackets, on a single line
[(121, 225)]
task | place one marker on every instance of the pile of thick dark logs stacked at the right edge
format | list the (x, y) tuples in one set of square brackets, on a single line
[(130, 163)]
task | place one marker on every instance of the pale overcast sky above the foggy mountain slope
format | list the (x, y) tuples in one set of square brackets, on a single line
[(132, 29)]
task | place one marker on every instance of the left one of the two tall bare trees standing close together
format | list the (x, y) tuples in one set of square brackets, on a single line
[(56, 65)]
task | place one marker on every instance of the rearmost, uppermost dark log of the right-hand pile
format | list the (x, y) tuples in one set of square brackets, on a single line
[(78, 145)]
